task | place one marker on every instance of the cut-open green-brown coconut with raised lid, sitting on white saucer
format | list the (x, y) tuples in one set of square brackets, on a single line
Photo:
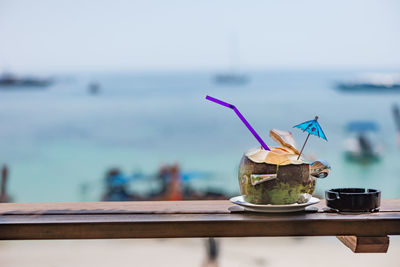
[(279, 175)]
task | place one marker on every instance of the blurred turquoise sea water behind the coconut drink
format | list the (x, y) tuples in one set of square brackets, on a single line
[(54, 140)]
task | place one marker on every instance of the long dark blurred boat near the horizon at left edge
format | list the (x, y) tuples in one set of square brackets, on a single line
[(8, 81)]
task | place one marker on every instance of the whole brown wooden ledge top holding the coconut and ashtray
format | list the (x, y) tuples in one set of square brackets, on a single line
[(164, 219)]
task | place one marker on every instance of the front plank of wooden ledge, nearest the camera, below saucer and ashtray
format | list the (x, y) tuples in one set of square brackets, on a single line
[(193, 225)]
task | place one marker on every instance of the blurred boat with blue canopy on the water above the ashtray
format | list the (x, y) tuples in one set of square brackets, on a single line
[(362, 145)]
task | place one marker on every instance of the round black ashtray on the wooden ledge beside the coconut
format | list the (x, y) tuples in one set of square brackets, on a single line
[(353, 199)]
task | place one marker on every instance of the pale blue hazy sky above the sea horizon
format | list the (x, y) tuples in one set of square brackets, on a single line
[(95, 35)]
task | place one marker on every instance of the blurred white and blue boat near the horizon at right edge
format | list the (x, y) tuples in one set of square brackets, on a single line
[(371, 82)]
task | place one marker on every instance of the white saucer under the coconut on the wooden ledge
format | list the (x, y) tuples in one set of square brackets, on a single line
[(239, 200)]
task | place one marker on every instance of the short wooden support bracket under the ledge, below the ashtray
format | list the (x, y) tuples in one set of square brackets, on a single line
[(365, 244)]
